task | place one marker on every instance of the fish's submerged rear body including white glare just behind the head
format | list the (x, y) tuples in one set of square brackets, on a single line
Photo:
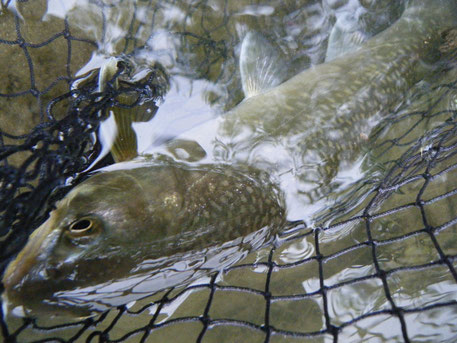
[(313, 125)]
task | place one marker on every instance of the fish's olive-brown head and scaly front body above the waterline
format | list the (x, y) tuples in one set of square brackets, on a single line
[(112, 222)]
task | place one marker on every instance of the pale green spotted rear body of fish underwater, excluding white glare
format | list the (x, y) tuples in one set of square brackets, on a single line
[(327, 107)]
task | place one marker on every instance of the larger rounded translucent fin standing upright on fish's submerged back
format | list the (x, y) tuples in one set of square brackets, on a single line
[(261, 65)]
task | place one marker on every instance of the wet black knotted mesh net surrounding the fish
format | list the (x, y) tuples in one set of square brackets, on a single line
[(76, 151)]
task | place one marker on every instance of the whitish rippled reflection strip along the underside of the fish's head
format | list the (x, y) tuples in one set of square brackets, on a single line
[(146, 279)]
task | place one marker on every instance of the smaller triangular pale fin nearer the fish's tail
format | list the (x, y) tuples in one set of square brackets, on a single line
[(342, 41)]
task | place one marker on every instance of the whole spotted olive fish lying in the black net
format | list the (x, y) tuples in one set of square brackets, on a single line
[(227, 177)]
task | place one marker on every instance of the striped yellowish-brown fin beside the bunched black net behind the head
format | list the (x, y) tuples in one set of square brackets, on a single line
[(125, 145)]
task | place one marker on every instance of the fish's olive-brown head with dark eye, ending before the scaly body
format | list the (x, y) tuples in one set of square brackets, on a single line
[(95, 234)]
